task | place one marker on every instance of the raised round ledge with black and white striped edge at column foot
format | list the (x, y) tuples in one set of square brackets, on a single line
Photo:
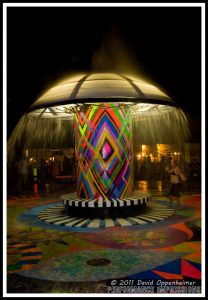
[(138, 198)]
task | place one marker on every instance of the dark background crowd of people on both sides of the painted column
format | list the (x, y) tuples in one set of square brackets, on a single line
[(144, 169)]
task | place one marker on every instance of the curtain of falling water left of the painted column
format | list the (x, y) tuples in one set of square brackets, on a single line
[(40, 133)]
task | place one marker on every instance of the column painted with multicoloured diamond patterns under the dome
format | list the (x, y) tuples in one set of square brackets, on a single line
[(103, 145)]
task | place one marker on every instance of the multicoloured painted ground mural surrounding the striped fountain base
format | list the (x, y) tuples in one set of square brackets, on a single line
[(46, 258)]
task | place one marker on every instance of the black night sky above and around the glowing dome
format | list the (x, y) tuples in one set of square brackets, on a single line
[(46, 44)]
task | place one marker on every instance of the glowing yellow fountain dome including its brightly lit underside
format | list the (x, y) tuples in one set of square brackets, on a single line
[(60, 100)]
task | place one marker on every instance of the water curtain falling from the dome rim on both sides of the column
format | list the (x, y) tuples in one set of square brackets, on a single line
[(165, 126)]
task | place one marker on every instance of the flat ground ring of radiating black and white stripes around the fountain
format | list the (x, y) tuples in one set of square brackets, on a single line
[(57, 215)]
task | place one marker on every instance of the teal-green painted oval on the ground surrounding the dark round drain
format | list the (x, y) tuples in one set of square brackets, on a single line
[(74, 266)]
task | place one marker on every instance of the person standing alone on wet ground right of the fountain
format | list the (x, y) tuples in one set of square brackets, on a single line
[(175, 180)]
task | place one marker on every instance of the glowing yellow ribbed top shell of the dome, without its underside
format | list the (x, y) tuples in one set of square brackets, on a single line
[(101, 85)]
